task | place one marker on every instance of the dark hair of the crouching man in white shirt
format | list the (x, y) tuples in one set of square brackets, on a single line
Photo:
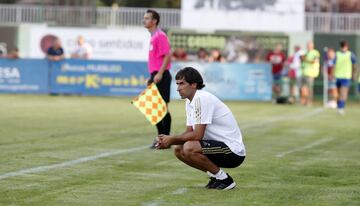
[(191, 76)]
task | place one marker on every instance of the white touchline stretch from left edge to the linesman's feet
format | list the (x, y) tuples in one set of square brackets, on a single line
[(70, 163)]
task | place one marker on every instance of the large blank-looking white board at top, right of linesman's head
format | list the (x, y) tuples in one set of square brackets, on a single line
[(244, 15)]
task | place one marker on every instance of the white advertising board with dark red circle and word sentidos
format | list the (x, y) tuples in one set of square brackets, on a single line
[(130, 44)]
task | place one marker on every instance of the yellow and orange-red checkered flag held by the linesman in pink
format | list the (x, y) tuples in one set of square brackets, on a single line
[(151, 104)]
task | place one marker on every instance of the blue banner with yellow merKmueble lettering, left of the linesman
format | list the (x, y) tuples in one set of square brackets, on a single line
[(93, 77)]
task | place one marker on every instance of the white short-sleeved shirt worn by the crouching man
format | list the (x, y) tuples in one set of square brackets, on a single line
[(221, 125)]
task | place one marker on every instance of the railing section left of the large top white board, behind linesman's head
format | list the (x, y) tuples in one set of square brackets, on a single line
[(83, 16)]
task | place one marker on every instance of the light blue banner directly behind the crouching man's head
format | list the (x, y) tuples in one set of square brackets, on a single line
[(232, 81)]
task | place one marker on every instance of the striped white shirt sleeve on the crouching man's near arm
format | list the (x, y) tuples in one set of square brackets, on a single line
[(203, 111)]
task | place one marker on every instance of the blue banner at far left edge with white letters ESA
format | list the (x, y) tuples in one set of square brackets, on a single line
[(24, 76)]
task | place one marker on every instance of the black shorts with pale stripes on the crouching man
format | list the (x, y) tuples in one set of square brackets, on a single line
[(220, 154)]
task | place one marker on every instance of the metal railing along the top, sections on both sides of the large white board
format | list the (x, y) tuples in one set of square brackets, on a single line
[(170, 18)]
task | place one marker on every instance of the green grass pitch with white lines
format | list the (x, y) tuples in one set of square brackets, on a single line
[(71, 150)]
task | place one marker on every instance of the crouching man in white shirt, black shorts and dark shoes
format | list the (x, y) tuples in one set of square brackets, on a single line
[(212, 138)]
